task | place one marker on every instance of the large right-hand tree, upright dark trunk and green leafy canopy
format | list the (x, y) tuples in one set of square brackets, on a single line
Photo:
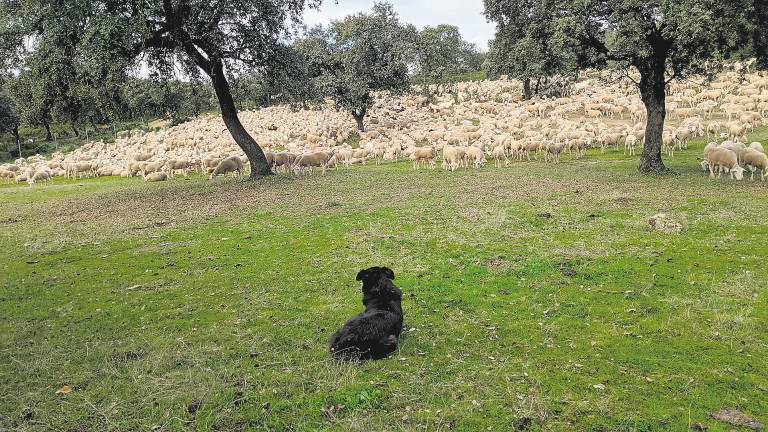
[(663, 40)]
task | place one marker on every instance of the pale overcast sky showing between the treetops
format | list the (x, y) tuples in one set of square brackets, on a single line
[(466, 14)]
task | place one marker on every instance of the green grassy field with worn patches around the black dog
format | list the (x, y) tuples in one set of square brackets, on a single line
[(536, 298)]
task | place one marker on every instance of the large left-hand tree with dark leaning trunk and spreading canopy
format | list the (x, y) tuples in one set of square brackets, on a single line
[(200, 35)]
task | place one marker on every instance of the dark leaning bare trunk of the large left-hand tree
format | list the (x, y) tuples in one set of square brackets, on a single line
[(259, 165)]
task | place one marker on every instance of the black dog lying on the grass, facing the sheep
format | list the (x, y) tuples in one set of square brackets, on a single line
[(372, 334)]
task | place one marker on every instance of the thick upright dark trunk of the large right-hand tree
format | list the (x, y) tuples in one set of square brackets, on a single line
[(652, 92)]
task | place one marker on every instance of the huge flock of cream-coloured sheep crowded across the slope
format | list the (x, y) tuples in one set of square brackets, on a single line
[(463, 128)]
